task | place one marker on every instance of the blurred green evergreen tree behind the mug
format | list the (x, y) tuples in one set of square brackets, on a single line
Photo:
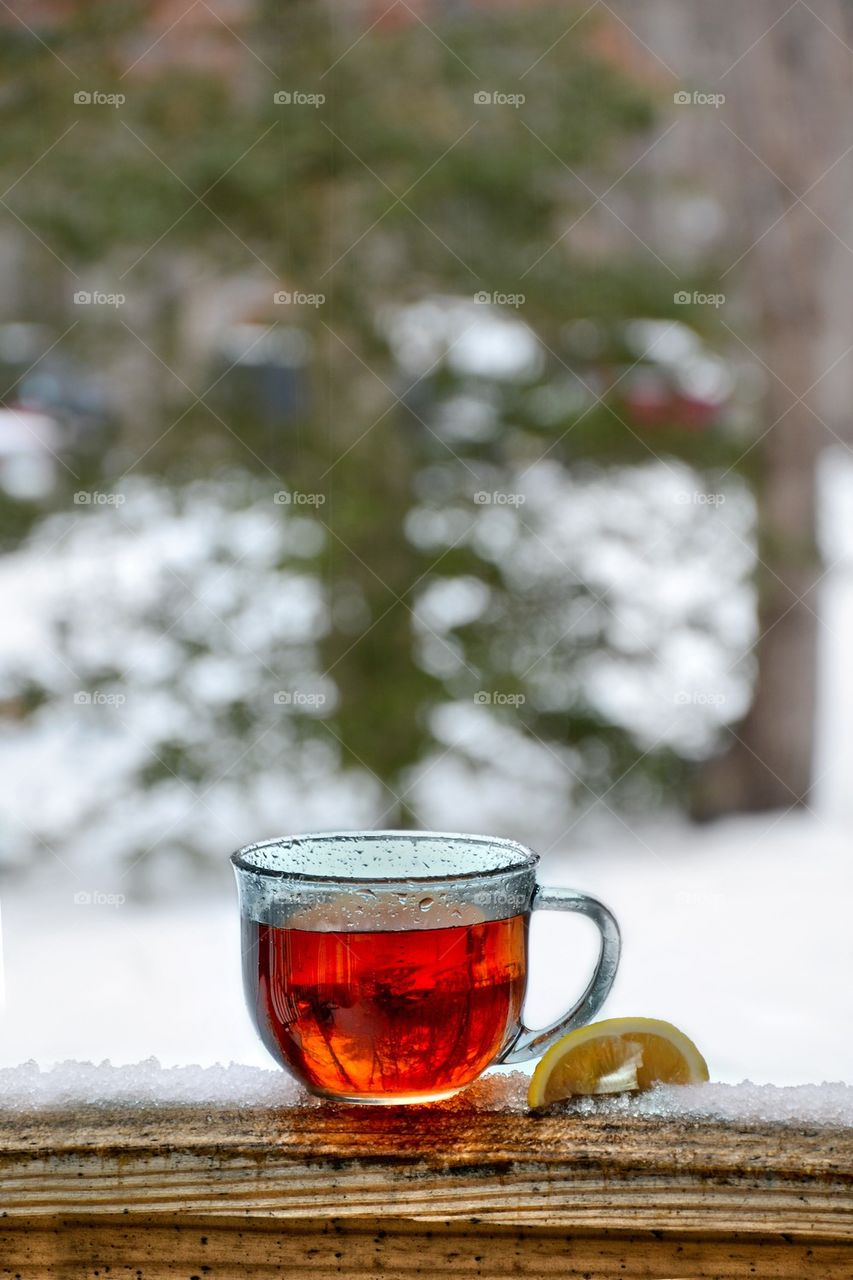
[(439, 162)]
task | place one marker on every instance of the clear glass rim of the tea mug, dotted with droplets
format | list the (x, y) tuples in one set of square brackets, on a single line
[(526, 861)]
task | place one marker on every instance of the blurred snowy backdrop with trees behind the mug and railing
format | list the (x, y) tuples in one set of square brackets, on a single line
[(427, 414)]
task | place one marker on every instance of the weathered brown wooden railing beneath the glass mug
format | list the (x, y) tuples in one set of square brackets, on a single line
[(445, 1191)]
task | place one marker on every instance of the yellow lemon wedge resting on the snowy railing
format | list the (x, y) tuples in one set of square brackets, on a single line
[(617, 1057)]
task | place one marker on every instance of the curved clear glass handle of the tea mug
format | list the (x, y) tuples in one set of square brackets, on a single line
[(531, 1044)]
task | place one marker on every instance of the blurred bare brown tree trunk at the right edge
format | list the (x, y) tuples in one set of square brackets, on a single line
[(776, 158)]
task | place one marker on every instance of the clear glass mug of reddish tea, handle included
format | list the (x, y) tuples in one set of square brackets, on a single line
[(391, 967)]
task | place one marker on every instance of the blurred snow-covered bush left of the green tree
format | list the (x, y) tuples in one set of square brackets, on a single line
[(161, 684)]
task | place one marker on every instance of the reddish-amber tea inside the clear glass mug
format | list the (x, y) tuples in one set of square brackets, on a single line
[(387, 1013)]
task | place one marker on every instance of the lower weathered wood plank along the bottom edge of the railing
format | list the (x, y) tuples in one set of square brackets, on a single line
[(229, 1250)]
